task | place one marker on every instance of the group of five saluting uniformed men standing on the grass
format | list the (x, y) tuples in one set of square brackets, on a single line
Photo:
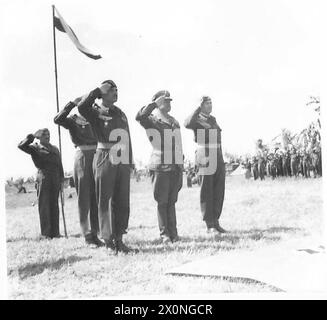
[(103, 184)]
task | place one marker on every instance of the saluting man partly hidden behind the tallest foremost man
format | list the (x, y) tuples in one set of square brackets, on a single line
[(83, 138)]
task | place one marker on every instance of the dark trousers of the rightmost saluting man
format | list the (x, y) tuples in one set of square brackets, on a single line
[(212, 194)]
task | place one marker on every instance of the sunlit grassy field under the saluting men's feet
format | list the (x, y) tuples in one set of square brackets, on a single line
[(257, 213)]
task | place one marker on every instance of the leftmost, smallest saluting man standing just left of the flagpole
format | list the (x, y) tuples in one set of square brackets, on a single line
[(50, 177)]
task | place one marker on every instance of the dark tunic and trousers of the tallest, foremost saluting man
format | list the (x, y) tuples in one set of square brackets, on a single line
[(112, 180)]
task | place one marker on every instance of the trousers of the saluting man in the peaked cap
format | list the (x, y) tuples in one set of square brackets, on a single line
[(166, 186)]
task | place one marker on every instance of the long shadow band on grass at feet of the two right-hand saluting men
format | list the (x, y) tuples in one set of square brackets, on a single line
[(225, 242)]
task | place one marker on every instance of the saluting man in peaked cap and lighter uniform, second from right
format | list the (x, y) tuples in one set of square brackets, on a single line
[(167, 176)]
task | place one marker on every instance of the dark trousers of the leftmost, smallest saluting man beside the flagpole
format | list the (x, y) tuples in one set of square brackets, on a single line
[(48, 187)]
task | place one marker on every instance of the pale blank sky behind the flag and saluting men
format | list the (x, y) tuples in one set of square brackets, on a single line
[(259, 61)]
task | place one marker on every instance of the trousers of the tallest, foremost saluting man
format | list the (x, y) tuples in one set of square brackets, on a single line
[(112, 186)]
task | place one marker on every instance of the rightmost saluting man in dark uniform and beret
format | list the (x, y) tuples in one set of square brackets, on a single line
[(212, 185)]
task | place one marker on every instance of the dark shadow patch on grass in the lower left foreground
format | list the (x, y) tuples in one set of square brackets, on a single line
[(33, 269)]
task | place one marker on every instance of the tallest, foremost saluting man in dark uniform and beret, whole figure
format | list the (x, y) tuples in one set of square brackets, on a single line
[(112, 176)]
